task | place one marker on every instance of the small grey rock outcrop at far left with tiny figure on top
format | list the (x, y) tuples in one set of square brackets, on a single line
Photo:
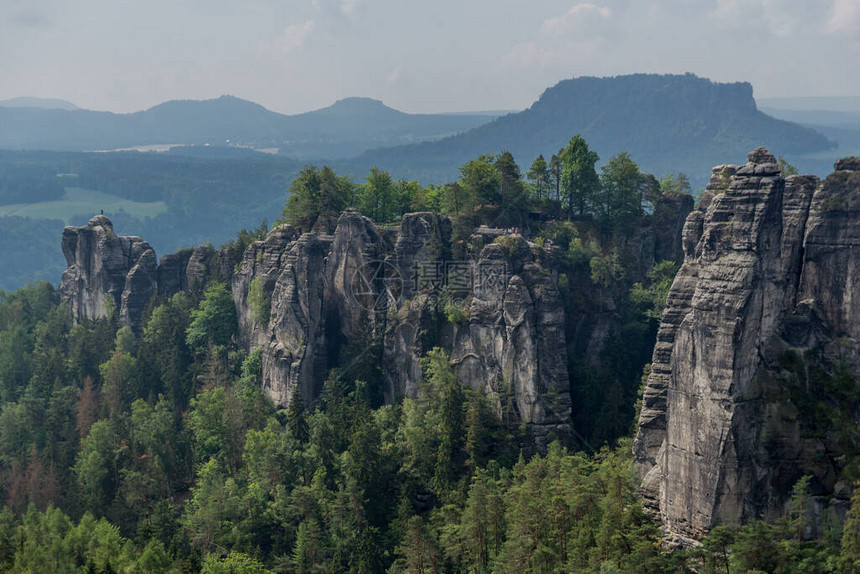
[(107, 270)]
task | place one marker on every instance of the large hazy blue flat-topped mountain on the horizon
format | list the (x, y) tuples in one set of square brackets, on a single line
[(668, 123)]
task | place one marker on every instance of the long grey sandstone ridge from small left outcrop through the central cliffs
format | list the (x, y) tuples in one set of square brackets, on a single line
[(306, 299)]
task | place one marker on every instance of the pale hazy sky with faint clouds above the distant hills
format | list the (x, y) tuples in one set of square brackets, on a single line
[(432, 56)]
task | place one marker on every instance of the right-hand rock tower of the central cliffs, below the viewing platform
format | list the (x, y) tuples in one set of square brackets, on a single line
[(513, 346)]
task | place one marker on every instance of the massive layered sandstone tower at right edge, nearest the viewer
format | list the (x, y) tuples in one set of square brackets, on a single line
[(768, 274)]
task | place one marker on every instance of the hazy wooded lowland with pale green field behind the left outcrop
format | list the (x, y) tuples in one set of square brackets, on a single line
[(202, 199)]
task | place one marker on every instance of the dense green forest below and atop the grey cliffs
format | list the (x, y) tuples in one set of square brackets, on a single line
[(158, 451)]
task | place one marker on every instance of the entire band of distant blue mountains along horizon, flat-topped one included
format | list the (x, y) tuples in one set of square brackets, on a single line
[(668, 123)]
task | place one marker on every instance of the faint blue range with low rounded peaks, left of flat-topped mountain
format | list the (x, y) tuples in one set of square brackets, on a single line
[(346, 128)]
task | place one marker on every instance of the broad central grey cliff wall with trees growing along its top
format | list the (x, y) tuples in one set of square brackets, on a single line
[(508, 341)]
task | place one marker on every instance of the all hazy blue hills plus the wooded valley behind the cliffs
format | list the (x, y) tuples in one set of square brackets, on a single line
[(668, 124)]
